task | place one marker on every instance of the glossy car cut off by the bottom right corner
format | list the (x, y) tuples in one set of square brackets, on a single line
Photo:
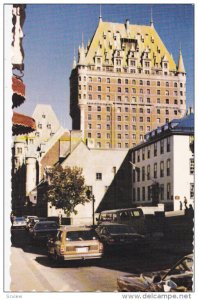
[(176, 279)]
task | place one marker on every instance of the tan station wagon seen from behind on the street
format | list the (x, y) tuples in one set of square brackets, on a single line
[(75, 243)]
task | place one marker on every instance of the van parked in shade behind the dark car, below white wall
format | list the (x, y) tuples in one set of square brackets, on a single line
[(131, 216)]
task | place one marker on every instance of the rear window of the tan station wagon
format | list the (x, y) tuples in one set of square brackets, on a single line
[(81, 235)]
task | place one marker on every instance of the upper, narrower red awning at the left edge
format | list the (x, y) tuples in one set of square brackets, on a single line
[(18, 89)]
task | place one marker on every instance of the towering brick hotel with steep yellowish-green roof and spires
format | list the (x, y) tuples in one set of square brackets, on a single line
[(124, 85)]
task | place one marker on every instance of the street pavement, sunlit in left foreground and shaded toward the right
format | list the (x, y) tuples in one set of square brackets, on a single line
[(31, 269)]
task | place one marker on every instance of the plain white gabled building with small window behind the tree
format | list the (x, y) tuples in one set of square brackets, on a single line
[(100, 167)]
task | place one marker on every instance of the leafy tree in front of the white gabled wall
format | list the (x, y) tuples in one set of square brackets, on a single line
[(66, 188)]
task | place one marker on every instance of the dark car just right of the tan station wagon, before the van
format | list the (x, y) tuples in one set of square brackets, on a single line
[(114, 235)]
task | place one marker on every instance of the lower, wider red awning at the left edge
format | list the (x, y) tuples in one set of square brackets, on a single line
[(22, 124)]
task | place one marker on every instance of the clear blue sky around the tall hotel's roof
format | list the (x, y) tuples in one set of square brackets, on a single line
[(54, 31)]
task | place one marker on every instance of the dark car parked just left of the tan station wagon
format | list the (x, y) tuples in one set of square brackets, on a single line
[(43, 230)]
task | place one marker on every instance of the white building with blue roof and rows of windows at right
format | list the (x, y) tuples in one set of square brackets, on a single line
[(163, 166)]
